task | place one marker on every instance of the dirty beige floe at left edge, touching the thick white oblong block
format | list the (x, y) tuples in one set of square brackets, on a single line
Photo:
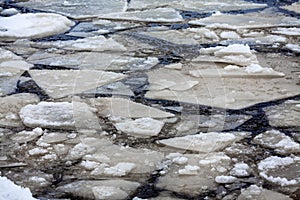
[(10, 107)]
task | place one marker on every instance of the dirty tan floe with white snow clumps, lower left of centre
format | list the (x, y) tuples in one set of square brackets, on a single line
[(114, 160)]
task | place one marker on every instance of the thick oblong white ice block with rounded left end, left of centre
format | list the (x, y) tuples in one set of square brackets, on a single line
[(62, 115)]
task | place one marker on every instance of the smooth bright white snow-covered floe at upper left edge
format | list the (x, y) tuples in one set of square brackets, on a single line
[(33, 25)]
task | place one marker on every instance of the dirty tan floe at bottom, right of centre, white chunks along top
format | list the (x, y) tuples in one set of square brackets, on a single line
[(196, 175)]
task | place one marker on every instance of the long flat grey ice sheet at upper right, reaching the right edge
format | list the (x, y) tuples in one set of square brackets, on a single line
[(245, 21)]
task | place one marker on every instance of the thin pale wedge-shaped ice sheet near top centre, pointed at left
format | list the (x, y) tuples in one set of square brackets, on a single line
[(153, 15)]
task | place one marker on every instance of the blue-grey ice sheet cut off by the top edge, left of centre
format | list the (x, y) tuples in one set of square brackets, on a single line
[(77, 9)]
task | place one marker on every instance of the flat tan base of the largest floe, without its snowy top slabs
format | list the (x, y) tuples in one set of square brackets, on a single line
[(232, 89)]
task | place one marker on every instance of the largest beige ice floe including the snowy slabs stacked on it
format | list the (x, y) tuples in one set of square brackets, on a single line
[(227, 77)]
